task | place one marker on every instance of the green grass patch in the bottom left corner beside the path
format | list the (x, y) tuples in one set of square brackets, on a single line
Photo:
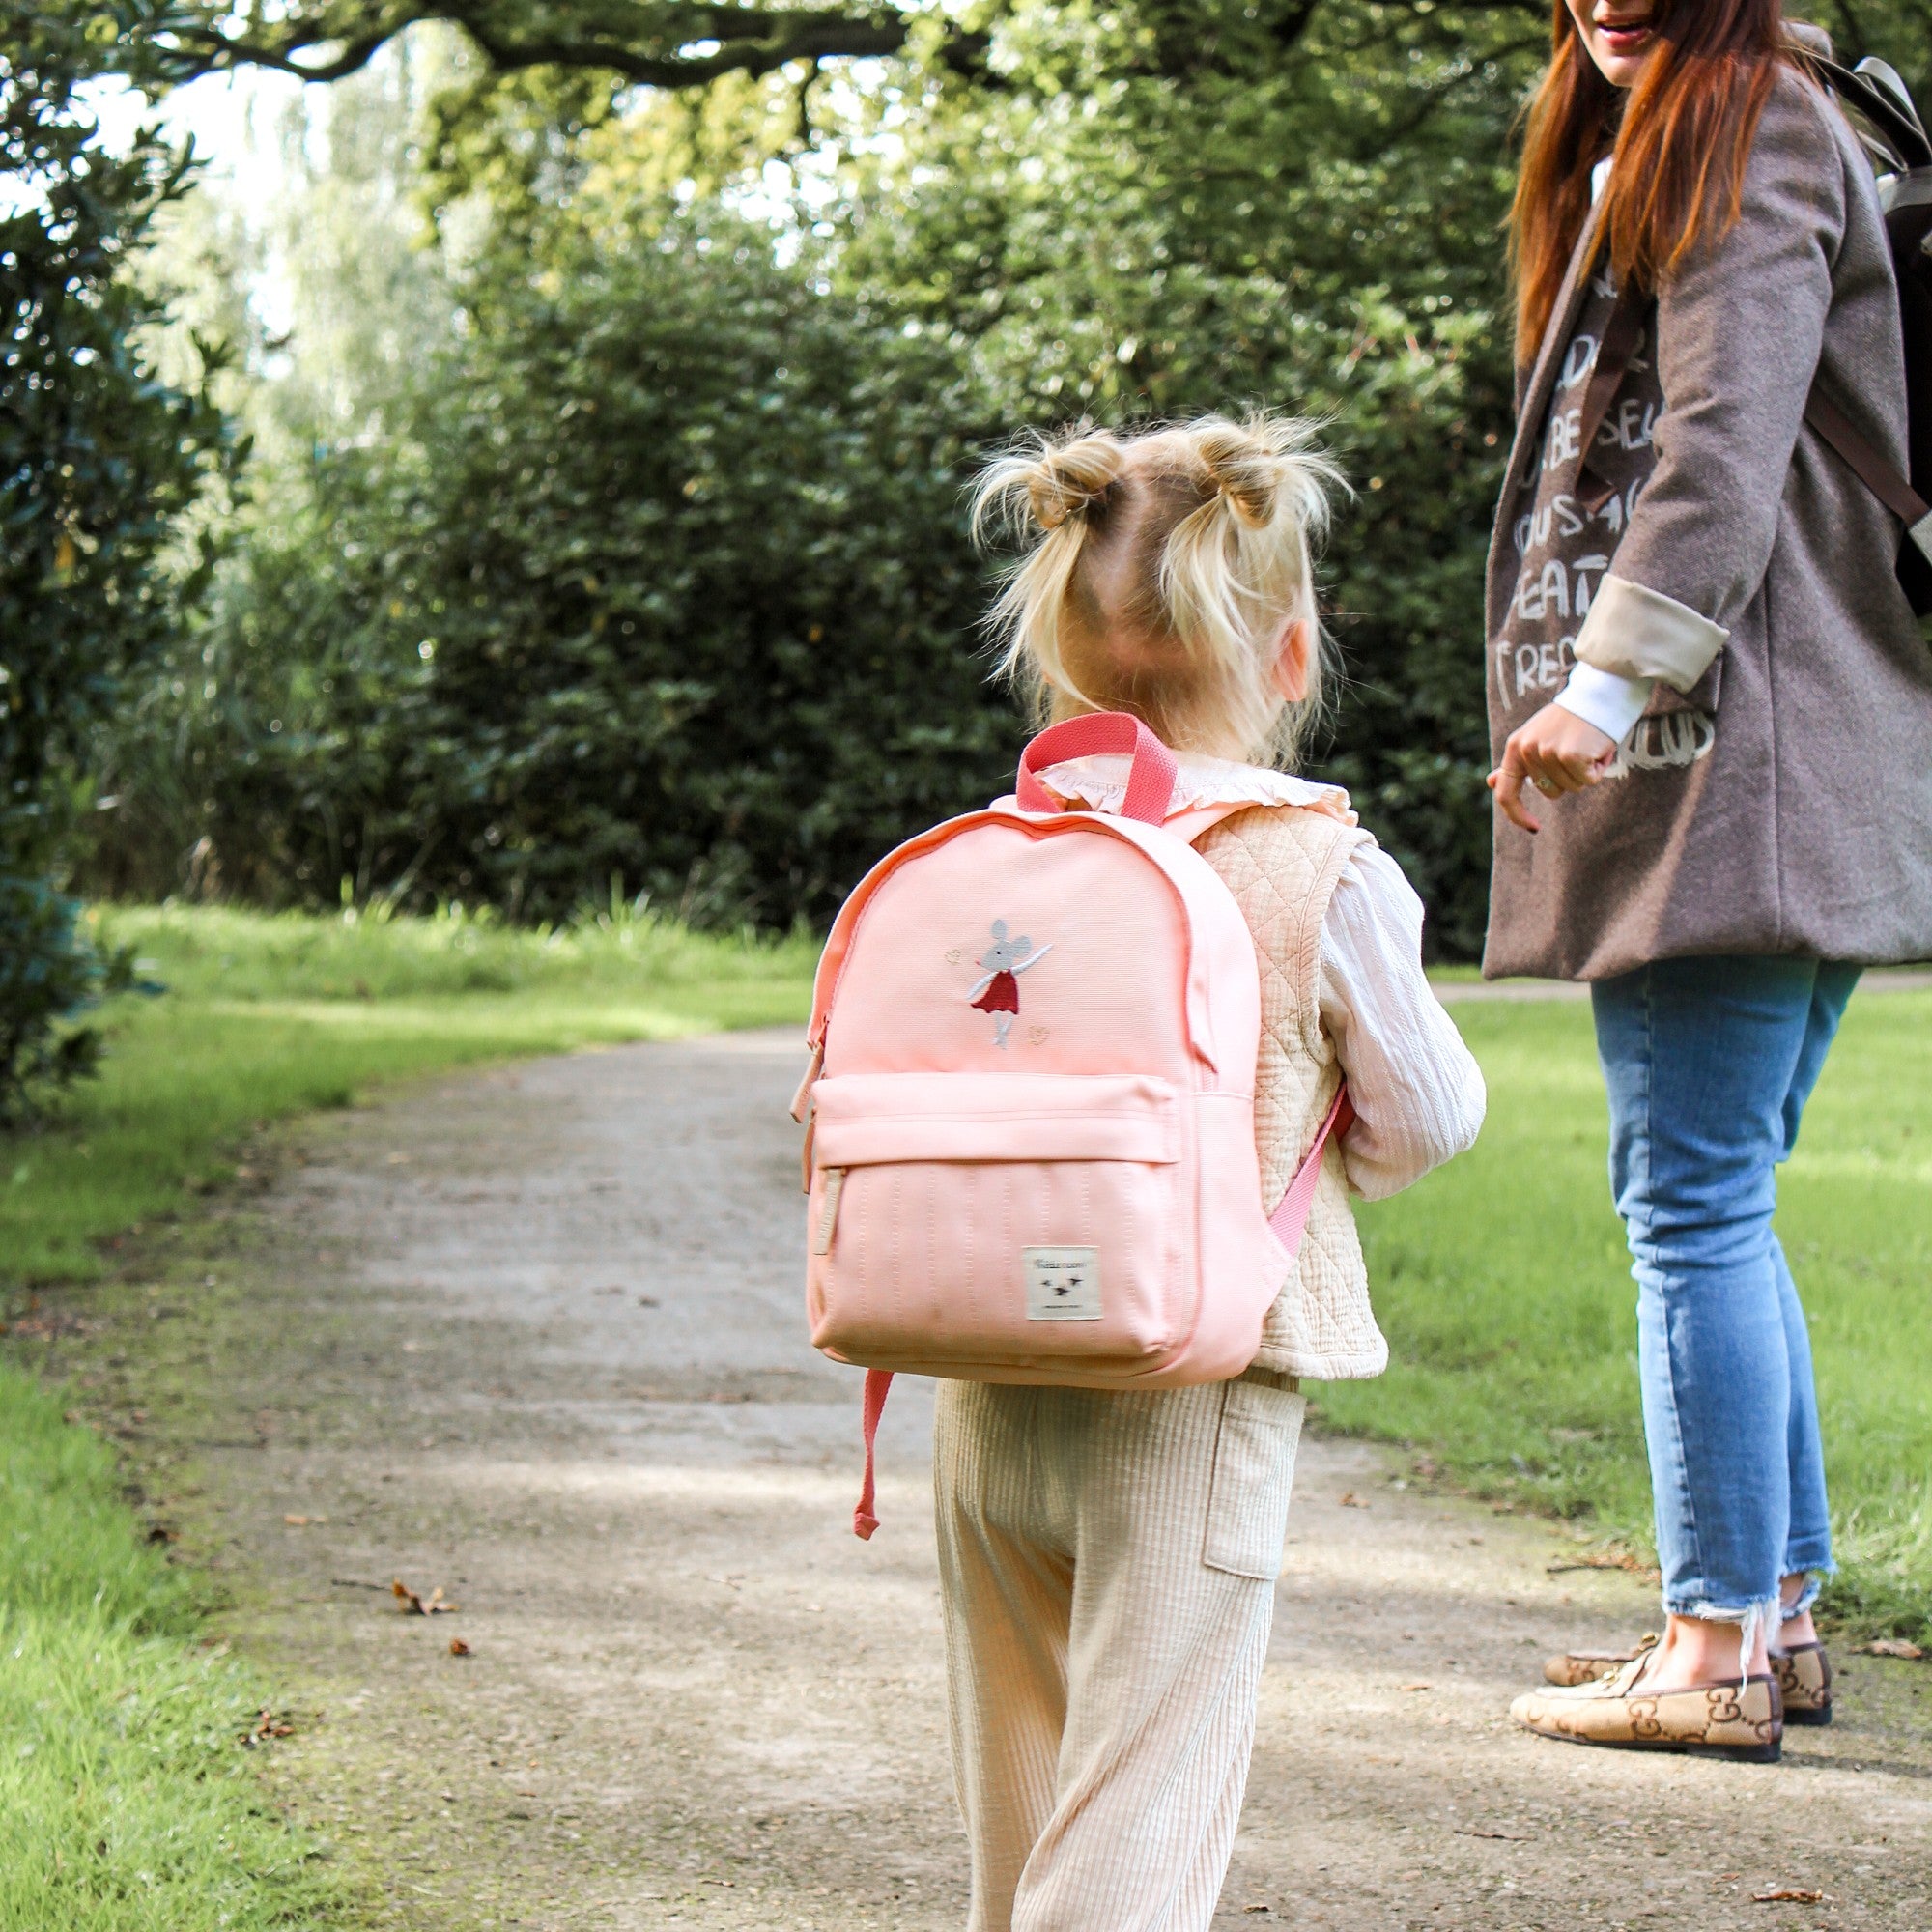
[(127, 1798)]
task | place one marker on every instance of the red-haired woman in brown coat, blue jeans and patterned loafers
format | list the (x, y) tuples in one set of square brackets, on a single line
[(1701, 656)]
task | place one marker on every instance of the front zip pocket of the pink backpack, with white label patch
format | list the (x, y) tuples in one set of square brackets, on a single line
[(998, 1222)]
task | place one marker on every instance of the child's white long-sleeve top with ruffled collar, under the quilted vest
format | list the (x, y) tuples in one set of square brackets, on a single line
[(1417, 1089)]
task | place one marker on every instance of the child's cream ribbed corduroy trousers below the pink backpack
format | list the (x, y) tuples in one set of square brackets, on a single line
[(1108, 1568)]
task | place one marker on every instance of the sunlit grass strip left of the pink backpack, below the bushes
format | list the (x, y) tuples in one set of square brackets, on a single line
[(273, 1015)]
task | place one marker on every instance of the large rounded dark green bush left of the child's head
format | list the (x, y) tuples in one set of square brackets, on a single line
[(658, 573)]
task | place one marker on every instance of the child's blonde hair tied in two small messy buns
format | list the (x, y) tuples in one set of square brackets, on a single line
[(1160, 575)]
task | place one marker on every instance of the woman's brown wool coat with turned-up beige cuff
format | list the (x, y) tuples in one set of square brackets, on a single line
[(1805, 826)]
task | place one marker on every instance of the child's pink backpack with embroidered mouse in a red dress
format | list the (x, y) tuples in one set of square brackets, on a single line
[(1031, 1147)]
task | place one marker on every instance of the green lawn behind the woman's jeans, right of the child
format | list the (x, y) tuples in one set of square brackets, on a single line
[(1504, 1288)]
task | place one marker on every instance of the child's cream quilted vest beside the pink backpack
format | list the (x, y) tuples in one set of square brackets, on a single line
[(1282, 867)]
